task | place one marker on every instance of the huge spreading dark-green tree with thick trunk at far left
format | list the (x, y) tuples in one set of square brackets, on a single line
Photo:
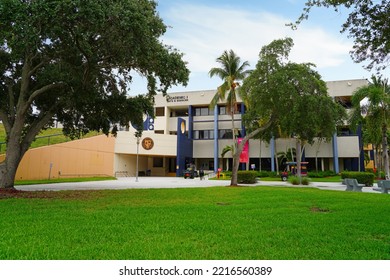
[(74, 60)]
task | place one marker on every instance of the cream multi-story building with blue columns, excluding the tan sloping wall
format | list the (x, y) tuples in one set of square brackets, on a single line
[(185, 130)]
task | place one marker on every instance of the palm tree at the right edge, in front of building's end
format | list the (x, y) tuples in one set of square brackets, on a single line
[(373, 102)]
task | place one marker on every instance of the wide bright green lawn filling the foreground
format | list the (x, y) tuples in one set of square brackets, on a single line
[(196, 223)]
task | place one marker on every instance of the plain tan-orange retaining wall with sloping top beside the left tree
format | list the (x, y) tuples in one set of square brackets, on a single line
[(86, 157)]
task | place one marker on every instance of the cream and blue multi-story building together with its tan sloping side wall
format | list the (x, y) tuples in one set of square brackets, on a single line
[(185, 130)]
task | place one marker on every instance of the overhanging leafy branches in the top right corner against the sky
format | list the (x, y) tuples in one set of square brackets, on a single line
[(367, 24)]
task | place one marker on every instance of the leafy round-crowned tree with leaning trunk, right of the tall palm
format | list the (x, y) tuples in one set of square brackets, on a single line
[(286, 96)]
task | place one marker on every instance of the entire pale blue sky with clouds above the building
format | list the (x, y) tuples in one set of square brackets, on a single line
[(203, 29)]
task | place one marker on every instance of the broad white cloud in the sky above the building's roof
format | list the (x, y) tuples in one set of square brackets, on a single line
[(203, 33)]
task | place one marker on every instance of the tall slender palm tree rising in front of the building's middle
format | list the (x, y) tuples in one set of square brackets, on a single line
[(231, 72)]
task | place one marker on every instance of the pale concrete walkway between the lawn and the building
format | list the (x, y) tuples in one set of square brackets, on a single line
[(169, 182)]
